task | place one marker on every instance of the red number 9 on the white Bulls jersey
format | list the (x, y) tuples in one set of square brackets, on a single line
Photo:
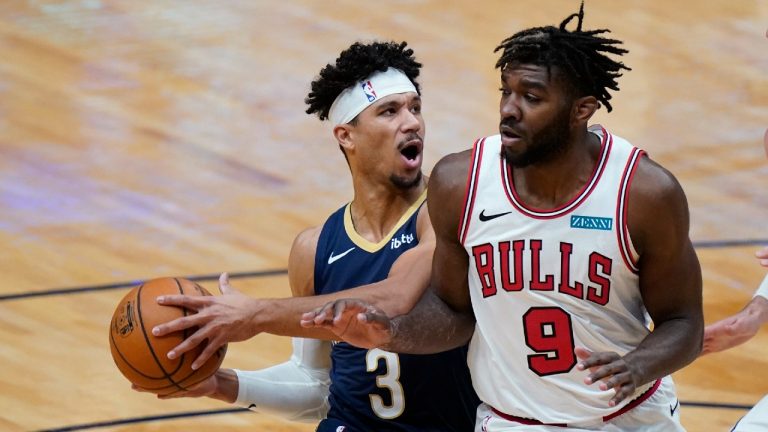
[(549, 331)]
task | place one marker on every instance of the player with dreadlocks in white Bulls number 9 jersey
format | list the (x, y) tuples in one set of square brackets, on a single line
[(557, 244)]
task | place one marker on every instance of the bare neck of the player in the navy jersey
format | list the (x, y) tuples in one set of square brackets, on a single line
[(376, 208)]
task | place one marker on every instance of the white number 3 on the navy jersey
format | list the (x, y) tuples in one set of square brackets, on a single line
[(389, 381)]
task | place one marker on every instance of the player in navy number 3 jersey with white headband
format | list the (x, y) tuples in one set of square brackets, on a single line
[(372, 100)]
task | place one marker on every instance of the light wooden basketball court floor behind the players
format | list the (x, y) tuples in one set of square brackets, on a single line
[(168, 138)]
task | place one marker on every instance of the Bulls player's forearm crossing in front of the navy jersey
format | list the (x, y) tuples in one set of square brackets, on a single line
[(430, 327)]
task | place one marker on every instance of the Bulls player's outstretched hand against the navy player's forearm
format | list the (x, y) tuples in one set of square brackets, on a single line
[(354, 321)]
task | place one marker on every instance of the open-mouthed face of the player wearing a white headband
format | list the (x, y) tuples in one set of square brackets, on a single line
[(389, 138)]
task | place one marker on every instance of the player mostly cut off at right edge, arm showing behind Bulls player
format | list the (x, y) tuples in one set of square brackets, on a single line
[(739, 328)]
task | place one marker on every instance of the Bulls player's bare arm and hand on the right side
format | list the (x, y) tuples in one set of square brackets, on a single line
[(670, 284)]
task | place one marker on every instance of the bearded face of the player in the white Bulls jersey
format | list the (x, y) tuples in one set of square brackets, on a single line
[(535, 115)]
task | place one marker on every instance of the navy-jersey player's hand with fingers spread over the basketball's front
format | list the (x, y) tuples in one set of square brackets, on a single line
[(219, 320)]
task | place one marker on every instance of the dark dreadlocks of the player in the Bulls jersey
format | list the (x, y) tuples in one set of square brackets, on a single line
[(579, 55)]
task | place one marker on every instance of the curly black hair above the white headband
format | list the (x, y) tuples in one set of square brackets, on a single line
[(354, 64)]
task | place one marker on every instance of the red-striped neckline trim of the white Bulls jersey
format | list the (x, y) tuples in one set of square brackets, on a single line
[(575, 202)]
